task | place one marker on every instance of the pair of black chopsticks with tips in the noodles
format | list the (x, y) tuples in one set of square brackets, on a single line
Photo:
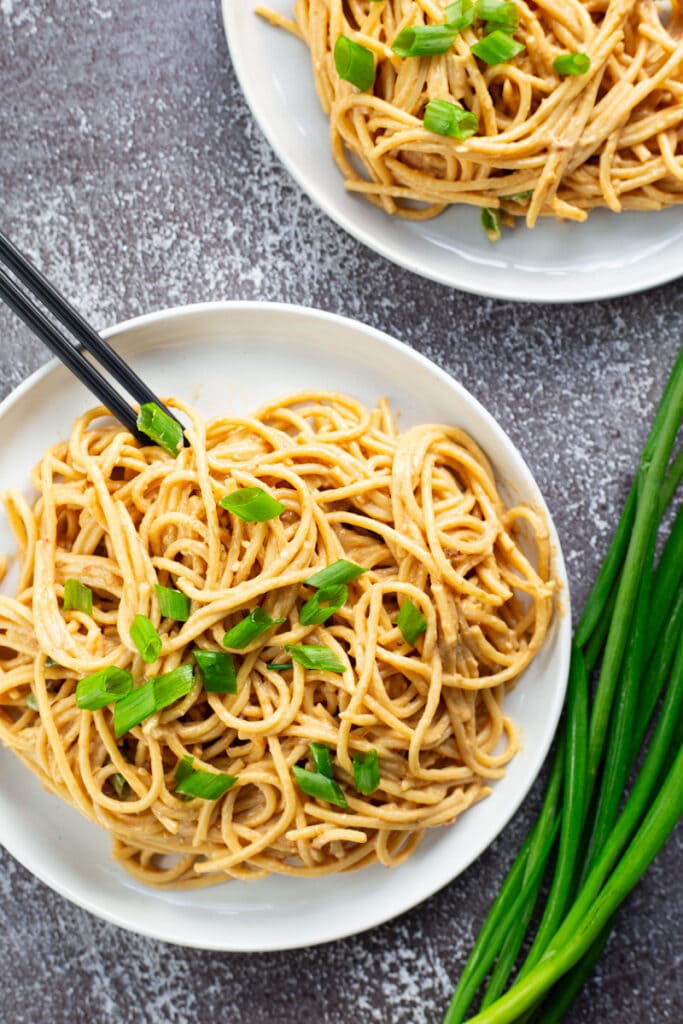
[(86, 337)]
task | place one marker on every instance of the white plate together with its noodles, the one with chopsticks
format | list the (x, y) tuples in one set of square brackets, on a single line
[(227, 361)]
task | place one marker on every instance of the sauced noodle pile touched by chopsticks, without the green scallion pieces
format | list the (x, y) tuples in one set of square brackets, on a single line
[(420, 510)]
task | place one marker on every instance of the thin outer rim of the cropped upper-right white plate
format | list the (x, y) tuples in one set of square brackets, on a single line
[(511, 293)]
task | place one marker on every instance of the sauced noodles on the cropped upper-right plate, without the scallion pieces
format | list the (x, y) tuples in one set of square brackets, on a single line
[(611, 138)]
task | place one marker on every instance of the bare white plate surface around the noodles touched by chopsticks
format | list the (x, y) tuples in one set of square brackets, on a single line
[(234, 357)]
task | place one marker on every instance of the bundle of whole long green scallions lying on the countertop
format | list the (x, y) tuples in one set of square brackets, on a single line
[(616, 787)]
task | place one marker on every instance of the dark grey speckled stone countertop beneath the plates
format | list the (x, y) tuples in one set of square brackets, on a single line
[(133, 172)]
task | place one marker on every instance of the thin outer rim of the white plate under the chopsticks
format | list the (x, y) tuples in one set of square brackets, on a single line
[(108, 912)]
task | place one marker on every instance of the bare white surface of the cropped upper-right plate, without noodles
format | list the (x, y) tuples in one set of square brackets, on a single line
[(610, 255)]
